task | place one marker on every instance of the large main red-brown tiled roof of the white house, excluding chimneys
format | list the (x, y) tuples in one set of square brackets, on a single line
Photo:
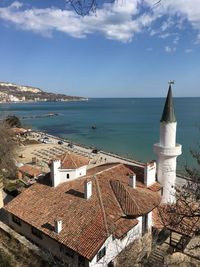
[(86, 223)]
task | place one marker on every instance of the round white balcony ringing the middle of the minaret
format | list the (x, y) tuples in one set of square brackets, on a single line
[(168, 151)]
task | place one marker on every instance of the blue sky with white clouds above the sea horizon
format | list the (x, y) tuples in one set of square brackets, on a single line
[(129, 48)]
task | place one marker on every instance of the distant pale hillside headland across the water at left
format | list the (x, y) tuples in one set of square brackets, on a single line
[(10, 92)]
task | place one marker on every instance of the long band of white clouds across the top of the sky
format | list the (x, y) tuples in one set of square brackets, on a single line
[(120, 20)]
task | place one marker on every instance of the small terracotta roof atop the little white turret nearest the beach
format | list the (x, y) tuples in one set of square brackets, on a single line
[(71, 160)]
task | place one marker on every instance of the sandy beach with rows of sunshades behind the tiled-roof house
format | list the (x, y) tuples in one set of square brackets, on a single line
[(42, 153)]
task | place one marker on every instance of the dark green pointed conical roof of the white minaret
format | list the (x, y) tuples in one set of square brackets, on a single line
[(168, 112)]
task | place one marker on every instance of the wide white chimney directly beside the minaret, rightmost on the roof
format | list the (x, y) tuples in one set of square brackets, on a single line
[(150, 173)]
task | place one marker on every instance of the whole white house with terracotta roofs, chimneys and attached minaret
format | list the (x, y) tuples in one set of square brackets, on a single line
[(86, 217)]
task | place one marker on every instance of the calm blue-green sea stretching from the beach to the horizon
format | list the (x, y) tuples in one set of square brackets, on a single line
[(126, 126)]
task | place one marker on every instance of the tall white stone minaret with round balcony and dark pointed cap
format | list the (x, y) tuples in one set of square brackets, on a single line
[(167, 151)]
